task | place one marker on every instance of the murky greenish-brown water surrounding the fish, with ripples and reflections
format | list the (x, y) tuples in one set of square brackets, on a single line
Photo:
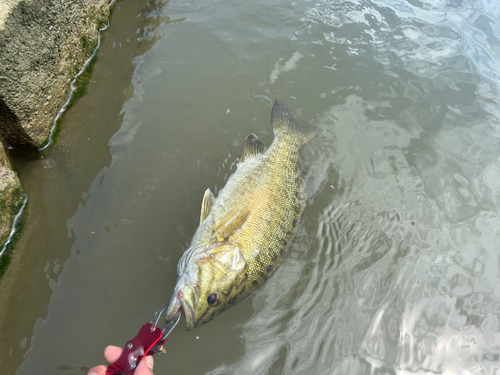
[(397, 266)]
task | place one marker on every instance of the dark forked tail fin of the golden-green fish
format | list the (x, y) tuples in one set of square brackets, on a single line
[(285, 122)]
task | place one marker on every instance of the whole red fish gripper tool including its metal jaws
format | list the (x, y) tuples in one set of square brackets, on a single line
[(148, 341)]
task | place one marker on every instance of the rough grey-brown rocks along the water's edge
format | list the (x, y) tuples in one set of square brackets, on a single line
[(43, 45)]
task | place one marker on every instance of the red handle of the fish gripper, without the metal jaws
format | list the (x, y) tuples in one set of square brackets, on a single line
[(136, 349)]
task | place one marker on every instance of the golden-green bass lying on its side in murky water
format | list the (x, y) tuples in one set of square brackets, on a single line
[(246, 231)]
